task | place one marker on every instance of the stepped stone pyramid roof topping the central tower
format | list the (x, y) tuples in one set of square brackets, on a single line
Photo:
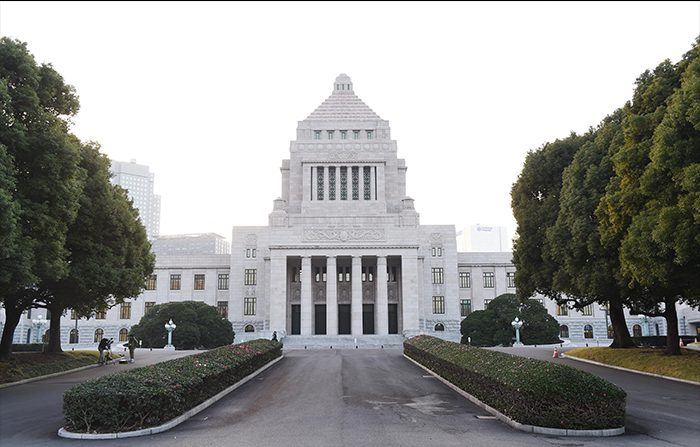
[(343, 104)]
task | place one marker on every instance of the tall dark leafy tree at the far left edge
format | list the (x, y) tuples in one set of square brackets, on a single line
[(41, 157)]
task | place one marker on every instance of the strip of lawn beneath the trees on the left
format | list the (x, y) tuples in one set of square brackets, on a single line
[(33, 364)]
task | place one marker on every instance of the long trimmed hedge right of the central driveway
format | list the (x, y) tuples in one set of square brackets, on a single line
[(529, 391)]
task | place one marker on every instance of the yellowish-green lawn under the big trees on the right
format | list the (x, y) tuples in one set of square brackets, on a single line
[(685, 366)]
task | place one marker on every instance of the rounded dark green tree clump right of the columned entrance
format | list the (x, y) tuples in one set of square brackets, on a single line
[(493, 326)]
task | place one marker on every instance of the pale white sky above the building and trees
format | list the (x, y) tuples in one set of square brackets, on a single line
[(209, 94)]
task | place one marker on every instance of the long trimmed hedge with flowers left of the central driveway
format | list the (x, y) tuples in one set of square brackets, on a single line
[(152, 395)]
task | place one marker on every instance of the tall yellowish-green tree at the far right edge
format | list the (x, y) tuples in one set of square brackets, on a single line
[(661, 249)]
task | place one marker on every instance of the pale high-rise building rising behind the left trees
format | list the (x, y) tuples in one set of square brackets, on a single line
[(138, 181)]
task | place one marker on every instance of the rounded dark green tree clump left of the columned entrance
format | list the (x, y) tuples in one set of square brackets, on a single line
[(198, 324)]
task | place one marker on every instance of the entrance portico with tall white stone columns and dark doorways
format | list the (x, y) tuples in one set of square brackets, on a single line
[(340, 292)]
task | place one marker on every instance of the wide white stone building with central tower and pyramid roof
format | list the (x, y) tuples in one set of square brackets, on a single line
[(344, 255)]
